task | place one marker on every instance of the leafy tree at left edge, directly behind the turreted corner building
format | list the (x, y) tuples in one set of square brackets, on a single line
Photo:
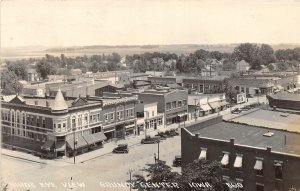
[(10, 83)]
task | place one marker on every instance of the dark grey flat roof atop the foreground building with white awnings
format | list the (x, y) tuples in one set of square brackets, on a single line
[(252, 136)]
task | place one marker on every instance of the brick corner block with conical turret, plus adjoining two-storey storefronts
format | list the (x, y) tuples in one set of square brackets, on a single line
[(50, 126)]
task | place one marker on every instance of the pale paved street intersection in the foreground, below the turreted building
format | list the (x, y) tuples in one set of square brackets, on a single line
[(108, 168)]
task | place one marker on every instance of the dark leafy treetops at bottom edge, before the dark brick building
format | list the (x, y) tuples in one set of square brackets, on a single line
[(197, 171)]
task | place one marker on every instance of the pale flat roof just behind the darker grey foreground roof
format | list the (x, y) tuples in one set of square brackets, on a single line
[(270, 119)]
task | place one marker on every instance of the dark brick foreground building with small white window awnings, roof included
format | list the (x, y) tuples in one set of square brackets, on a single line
[(259, 158)]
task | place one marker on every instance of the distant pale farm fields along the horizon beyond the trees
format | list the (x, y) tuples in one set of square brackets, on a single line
[(40, 51)]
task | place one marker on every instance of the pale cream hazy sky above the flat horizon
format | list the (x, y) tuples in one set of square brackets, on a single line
[(144, 22)]
